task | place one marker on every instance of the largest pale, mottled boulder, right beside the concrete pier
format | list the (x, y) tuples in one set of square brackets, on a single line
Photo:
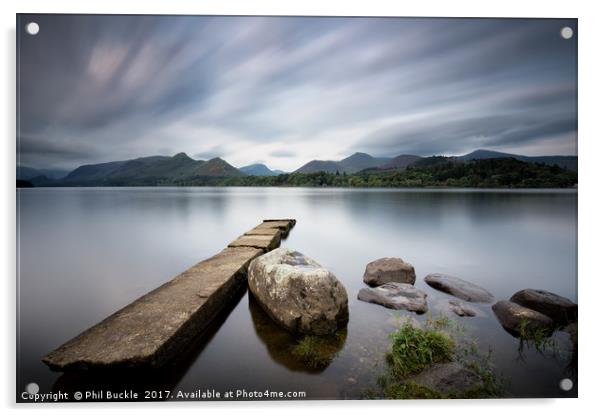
[(298, 293)]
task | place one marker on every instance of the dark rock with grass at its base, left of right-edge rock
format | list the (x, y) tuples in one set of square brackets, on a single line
[(513, 316)]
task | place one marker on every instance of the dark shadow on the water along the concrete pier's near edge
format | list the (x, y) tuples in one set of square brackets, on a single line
[(165, 378)]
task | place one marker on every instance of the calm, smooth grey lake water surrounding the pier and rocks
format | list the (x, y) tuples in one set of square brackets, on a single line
[(84, 253)]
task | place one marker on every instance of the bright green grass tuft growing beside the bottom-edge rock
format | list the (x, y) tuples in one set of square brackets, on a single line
[(415, 349)]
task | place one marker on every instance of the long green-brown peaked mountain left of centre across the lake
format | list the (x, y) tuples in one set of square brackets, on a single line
[(152, 170)]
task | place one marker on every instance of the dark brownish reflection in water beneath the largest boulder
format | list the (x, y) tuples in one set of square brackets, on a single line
[(310, 354)]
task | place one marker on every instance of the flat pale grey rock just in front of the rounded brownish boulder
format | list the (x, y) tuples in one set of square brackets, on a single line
[(396, 295)]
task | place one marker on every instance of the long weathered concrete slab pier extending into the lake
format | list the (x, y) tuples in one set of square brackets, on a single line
[(152, 330)]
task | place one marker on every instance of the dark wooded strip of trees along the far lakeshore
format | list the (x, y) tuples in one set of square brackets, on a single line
[(428, 172)]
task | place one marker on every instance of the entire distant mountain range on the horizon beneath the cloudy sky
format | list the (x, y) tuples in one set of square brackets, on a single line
[(180, 168)]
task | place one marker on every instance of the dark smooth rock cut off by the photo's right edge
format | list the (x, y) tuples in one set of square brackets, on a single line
[(559, 309)]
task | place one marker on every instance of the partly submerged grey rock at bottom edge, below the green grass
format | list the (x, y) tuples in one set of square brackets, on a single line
[(450, 377)]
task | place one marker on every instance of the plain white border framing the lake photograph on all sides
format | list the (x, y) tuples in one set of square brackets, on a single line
[(590, 137)]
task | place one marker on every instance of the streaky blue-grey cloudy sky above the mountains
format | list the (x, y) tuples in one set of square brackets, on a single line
[(286, 90)]
